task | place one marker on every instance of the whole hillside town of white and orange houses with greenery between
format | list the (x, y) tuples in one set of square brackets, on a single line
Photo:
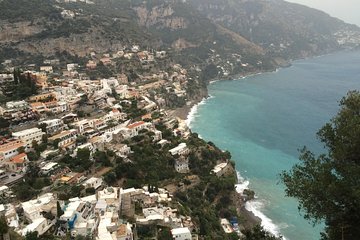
[(80, 153)]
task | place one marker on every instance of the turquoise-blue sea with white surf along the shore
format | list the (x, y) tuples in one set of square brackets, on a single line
[(264, 119)]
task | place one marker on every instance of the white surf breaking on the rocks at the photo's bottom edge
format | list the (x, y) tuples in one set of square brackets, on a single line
[(255, 206)]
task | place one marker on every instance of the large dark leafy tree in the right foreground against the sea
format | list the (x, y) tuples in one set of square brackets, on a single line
[(328, 186)]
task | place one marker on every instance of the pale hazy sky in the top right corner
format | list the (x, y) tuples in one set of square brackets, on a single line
[(347, 10)]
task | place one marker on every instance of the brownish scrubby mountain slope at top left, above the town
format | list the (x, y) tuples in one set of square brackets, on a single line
[(46, 28)]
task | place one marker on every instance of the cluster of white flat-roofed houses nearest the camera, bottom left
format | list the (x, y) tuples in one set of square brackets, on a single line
[(99, 215)]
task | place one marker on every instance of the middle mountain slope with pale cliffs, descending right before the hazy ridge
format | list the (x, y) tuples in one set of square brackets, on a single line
[(194, 37)]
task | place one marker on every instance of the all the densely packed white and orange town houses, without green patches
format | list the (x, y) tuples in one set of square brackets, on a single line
[(69, 113)]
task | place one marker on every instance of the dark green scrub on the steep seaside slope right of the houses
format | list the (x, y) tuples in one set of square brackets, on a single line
[(212, 197)]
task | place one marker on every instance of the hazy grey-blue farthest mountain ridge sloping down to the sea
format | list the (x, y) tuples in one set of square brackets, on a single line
[(284, 29)]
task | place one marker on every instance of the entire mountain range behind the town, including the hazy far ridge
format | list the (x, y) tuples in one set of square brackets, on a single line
[(237, 37)]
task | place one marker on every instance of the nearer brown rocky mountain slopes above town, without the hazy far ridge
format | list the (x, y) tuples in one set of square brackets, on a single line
[(58, 27)]
